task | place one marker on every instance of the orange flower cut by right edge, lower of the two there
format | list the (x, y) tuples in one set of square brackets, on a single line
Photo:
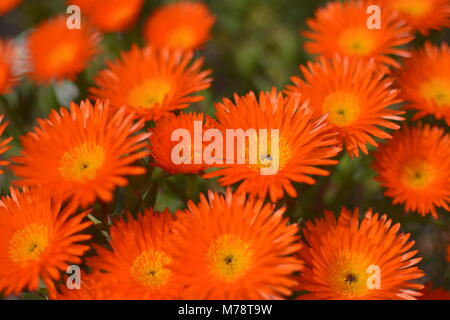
[(414, 168)]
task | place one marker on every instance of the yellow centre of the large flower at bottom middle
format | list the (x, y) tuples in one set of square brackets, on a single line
[(229, 258)]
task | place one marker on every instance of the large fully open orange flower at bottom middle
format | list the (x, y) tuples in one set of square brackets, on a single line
[(233, 248)]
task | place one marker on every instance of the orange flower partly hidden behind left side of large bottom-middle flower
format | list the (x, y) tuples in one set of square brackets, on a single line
[(142, 270)]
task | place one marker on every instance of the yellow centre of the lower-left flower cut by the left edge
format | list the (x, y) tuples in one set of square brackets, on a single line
[(28, 243)]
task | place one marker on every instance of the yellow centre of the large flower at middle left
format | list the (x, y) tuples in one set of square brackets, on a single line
[(82, 162)]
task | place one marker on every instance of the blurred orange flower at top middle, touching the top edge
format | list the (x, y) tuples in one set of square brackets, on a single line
[(180, 25)]
